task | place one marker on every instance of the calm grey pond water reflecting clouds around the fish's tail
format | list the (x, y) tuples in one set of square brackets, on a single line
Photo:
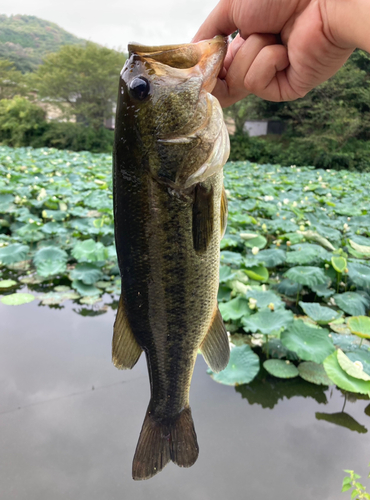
[(69, 423)]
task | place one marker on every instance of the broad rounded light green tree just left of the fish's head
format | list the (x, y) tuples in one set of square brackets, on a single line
[(81, 81)]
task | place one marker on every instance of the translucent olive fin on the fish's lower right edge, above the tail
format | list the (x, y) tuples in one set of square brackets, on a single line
[(215, 347)]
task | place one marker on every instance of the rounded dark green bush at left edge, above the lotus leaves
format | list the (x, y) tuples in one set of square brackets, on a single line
[(21, 121)]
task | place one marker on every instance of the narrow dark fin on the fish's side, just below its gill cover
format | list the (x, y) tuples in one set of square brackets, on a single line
[(202, 217)]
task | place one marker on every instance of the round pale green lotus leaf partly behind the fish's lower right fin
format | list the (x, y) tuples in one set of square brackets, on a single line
[(243, 366)]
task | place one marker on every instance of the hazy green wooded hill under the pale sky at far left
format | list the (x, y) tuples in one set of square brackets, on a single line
[(25, 40)]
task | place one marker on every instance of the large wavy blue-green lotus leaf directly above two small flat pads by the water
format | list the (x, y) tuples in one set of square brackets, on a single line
[(310, 343)]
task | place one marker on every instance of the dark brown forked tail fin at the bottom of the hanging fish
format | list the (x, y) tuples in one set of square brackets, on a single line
[(160, 442)]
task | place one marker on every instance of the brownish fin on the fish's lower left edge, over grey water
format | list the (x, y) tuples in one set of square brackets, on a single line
[(125, 349)]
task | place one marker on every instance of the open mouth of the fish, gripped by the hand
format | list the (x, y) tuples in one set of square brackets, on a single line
[(207, 56)]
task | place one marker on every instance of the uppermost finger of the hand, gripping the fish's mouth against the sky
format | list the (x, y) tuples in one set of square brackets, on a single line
[(219, 22)]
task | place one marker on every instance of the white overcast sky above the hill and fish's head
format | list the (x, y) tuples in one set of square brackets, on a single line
[(114, 23)]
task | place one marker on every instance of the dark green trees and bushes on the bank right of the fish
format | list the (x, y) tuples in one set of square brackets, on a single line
[(328, 128)]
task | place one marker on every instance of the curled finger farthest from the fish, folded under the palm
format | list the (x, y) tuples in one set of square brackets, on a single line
[(267, 75)]
